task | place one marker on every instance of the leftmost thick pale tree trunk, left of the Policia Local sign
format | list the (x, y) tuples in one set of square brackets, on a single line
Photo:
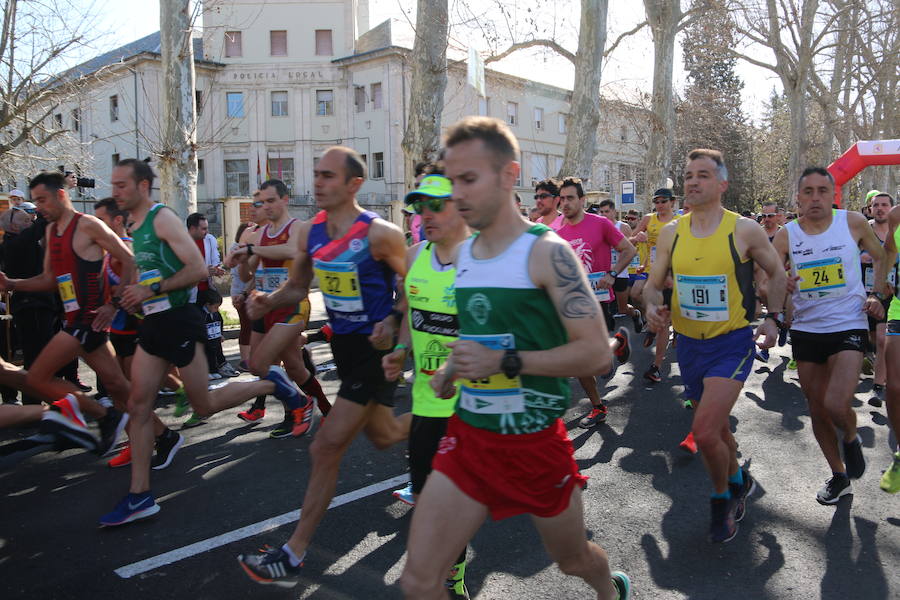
[(178, 155)]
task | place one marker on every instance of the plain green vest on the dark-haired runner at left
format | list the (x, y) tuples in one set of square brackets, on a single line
[(156, 261)]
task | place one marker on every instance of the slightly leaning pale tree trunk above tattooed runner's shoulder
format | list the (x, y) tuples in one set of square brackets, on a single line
[(584, 115)]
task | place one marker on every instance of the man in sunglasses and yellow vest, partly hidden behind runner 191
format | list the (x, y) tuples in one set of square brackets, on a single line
[(648, 231)]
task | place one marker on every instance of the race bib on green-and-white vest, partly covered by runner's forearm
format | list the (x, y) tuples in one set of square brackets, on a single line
[(497, 394)]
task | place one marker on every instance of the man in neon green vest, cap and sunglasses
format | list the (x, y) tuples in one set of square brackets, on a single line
[(429, 289)]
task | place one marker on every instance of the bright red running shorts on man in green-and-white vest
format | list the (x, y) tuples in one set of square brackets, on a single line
[(532, 473)]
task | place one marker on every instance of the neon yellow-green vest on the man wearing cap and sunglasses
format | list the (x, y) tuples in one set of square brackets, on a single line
[(432, 323)]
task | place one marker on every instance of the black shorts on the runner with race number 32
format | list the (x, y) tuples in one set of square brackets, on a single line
[(359, 369)]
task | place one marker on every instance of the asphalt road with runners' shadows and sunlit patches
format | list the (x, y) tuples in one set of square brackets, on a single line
[(646, 503)]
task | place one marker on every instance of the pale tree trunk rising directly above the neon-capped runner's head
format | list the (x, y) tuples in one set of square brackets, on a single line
[(421, 139)]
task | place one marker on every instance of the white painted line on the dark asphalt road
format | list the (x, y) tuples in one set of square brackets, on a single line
[(190, 550)]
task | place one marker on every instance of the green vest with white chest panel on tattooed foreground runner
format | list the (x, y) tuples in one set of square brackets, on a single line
[(500, 307)]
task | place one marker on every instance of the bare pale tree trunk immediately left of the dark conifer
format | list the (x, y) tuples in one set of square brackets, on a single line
[(663, 16)]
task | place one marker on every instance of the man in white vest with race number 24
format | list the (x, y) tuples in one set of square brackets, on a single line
[(828, 325)]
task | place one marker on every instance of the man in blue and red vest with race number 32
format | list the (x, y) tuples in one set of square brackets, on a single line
[(355, 255)]
